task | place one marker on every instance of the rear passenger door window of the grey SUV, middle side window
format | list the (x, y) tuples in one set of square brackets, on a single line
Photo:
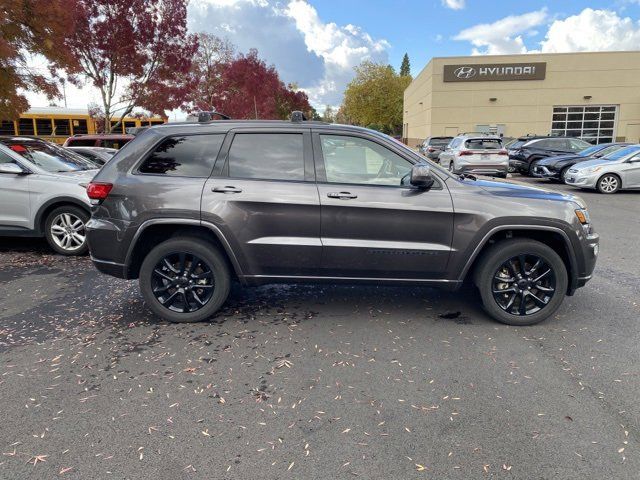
[(273, 156)]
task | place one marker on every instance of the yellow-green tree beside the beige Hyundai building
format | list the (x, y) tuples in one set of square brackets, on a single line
[(375, 97)]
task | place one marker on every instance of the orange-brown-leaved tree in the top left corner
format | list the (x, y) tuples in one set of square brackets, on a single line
[(37, 28)]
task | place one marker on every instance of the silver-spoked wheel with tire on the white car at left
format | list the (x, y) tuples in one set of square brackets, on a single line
[(65, 232)]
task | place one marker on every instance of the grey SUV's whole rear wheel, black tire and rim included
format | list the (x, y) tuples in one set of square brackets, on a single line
[(187, 300)]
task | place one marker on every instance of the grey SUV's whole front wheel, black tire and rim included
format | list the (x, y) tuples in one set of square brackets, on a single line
[(538, 304)]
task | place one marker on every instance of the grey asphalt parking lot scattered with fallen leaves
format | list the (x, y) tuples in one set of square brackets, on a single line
[(319, 382)]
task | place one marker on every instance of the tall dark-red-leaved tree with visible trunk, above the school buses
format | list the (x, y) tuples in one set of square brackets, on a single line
[(137, 53)]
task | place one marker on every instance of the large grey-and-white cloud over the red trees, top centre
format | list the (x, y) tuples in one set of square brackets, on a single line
[(319, 56)]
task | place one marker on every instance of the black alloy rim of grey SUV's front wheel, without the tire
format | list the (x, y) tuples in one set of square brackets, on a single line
[(524, 285)]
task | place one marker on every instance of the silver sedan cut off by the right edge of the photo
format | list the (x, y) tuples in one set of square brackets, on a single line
[(617, 171)]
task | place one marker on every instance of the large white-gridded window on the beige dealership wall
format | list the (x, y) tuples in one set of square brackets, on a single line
[(594, 124)]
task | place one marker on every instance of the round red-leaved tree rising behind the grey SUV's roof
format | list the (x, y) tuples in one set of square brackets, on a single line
[(244, 87)]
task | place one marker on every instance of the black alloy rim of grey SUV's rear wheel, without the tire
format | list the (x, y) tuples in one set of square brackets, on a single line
[(182, 282)]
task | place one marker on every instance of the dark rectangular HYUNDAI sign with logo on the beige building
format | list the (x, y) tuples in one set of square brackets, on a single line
[(491, 72)]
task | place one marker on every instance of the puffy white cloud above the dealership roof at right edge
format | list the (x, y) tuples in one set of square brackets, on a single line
[(592, 30)]
